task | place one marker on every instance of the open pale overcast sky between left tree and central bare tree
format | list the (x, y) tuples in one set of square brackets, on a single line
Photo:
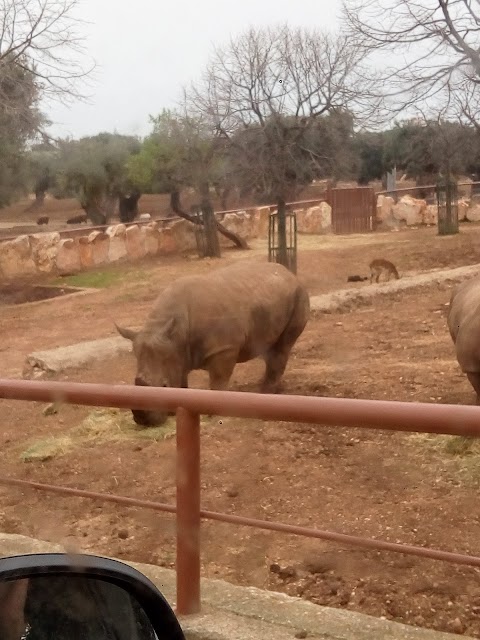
[(147, 49)]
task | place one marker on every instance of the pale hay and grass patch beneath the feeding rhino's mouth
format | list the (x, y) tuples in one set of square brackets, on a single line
[(99, 427)]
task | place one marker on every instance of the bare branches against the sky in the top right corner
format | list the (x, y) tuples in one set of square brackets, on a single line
[(434, 51)]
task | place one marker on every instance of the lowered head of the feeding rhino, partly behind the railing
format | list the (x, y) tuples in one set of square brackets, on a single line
[(159, 364)]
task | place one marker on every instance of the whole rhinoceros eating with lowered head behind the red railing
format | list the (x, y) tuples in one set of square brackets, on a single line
[(213, 321)]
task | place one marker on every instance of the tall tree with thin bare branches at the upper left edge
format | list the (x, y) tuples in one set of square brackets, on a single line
[(41, 58)]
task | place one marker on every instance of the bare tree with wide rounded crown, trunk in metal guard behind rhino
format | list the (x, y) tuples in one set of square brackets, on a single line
[(262, 94)]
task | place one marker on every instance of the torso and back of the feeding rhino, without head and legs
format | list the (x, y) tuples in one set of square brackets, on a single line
[(244, 307)]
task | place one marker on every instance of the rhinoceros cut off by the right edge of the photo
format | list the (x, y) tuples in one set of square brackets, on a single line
[(464, 326)]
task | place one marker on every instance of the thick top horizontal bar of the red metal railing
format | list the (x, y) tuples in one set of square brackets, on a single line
[(346, 412)]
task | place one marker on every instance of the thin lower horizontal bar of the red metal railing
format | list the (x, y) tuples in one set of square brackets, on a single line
[(366, 543)]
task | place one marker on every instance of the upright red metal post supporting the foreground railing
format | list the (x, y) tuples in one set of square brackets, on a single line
[(188, 512)]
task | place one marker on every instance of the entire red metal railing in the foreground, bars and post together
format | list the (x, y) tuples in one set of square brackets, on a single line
[(190, 403)]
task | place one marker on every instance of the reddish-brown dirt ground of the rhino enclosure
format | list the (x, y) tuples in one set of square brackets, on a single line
[(404, 488)]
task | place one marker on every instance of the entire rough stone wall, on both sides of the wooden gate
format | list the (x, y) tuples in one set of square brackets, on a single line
[(50, 253)]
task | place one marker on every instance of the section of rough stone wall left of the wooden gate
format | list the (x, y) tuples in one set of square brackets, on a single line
[(49, 253)]
